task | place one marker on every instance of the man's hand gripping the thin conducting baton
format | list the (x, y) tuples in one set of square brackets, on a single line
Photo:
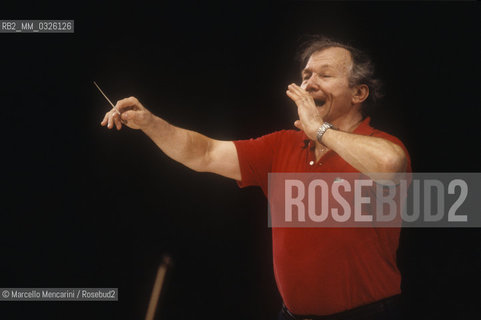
[(129, 112)]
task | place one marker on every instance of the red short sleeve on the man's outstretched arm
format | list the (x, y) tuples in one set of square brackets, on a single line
[(255, 159)]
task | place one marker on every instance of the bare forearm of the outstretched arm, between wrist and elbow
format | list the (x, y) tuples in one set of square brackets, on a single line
[(185, 146)]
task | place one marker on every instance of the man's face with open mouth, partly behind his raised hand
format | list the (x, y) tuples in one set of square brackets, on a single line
[(326, 79)]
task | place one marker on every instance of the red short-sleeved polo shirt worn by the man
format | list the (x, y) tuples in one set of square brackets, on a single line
[(320, 271)]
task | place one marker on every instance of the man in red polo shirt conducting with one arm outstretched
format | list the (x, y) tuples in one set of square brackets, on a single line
[(321, 273)]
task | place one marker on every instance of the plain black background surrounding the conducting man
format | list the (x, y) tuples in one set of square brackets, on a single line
[(83, 206)]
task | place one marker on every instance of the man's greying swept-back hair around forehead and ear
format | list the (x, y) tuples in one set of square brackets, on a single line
[(362, 69)]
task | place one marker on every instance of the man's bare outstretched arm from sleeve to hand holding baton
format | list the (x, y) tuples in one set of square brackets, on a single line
[(192, 149)]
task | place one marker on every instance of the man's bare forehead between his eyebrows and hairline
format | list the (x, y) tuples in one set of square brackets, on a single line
[(333, 57)]
